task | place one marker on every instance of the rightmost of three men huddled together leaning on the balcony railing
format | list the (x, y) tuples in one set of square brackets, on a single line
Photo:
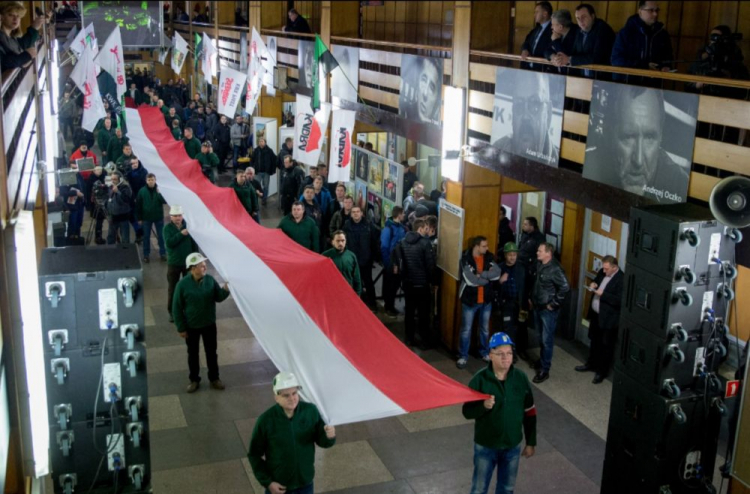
[(593, 44)]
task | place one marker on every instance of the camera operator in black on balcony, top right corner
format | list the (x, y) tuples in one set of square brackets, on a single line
[(721, 57)]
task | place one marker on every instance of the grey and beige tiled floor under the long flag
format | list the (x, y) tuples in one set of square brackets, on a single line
[(199, 441)]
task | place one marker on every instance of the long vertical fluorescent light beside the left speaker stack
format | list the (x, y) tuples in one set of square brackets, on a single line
[(33, 350)]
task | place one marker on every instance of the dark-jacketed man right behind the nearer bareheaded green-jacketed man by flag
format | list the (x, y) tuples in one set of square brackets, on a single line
[(362, 239)]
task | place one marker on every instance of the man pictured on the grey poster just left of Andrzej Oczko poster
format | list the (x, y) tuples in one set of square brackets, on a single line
[(531, 120)]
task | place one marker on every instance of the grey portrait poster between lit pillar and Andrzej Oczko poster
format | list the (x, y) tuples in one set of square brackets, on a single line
[(527, 114)]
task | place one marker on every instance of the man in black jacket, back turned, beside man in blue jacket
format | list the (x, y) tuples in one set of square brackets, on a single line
[(414, 259)]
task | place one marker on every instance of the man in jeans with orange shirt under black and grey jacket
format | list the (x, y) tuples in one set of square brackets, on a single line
[(478, 270)]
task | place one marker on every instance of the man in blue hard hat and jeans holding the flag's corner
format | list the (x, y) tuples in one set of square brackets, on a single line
[(502, 420)]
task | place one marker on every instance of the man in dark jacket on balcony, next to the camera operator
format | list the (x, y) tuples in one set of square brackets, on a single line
[(643, 43)]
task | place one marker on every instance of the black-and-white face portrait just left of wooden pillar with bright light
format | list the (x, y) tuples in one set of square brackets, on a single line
[(421, 89)]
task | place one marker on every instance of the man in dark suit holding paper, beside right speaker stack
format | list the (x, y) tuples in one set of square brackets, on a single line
[(604, 318)]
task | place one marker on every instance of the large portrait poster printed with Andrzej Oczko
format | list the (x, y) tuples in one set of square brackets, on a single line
[(641, 140)]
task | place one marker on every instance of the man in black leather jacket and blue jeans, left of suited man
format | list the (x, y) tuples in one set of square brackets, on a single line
[(547, 296)]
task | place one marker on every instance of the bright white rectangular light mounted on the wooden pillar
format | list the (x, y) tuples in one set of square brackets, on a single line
[(453, 132)]
